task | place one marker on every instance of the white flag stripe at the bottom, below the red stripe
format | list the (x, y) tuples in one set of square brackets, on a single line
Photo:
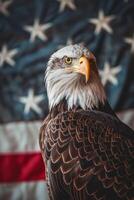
[(24, 191)]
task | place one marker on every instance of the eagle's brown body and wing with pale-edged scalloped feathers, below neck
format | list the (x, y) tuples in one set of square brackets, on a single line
[(88, 154)]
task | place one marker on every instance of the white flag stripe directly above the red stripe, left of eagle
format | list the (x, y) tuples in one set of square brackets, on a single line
[(19, 137)]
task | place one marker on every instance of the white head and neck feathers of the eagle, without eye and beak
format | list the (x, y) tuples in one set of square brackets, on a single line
[(70, 86)]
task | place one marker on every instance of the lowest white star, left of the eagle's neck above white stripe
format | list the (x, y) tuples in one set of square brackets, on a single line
[(31, 102)]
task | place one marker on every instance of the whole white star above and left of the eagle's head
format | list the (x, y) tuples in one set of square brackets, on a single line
[(37, 30)]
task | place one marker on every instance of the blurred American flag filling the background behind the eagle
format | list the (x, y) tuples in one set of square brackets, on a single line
[(30, 31)]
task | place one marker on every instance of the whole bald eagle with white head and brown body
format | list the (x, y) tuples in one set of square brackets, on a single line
[(88, 152)]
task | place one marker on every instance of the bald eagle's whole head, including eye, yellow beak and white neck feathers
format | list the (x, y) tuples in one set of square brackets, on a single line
[(72, 75)]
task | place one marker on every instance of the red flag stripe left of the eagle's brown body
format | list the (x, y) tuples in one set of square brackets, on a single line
[(21, 167)]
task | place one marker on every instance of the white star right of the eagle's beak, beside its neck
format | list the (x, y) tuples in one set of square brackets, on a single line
[(109, 74)]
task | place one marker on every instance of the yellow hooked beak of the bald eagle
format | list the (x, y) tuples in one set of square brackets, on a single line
[(83, 67)]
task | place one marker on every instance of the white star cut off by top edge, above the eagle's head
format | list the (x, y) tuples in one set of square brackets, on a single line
[(66, 3)]
